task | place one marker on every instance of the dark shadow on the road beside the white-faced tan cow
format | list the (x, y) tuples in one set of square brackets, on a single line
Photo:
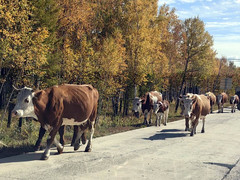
[(168, 134)]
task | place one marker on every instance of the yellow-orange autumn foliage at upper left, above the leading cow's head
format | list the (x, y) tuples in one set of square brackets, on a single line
[(22, 49)]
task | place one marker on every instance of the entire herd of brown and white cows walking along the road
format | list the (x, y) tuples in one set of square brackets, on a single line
[(76, 105)]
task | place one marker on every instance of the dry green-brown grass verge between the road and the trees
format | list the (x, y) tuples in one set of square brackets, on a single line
[(18, 142)]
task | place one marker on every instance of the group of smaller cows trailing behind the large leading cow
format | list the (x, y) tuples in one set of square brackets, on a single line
[(193, 107)]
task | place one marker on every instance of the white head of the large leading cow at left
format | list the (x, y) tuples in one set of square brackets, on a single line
[(24, 105)]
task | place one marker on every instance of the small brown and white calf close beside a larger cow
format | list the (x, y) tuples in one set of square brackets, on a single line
[(161, 109)]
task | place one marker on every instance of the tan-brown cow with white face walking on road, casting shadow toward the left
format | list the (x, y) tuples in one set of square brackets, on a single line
[(196, 107)]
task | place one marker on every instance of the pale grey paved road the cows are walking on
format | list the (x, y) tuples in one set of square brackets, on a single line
[(149, 153)]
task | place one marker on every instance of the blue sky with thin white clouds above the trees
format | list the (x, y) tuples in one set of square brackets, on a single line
[(222, 21)]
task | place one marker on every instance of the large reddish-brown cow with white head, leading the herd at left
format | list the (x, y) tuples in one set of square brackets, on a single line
[(60, 105)]
